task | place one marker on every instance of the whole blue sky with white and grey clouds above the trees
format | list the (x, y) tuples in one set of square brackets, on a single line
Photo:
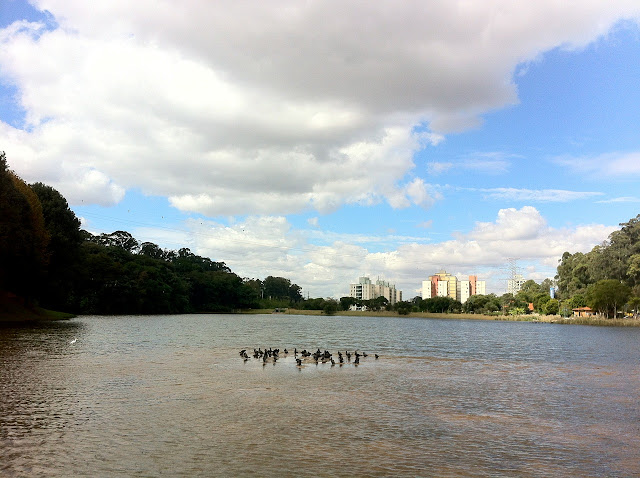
[(324, 141)]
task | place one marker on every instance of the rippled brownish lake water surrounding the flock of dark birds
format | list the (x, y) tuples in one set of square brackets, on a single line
[(170, 396)]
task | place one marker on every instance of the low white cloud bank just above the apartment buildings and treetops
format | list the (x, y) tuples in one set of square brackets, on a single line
[(325, 263)]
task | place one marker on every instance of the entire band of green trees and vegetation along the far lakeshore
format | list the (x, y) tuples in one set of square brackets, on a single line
[(50, 263)]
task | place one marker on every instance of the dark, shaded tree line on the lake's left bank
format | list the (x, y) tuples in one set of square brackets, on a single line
[(47, 259)]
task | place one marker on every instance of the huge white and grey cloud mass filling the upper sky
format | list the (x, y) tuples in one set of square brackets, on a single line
[(236, 108)]
